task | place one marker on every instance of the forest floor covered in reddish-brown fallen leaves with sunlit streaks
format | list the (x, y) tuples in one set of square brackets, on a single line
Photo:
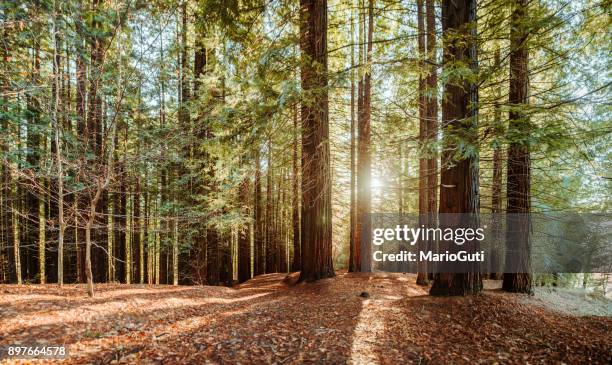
[(268, 321)]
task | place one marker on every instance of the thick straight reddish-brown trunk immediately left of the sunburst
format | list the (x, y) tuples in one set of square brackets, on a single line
[(316, 174)]
